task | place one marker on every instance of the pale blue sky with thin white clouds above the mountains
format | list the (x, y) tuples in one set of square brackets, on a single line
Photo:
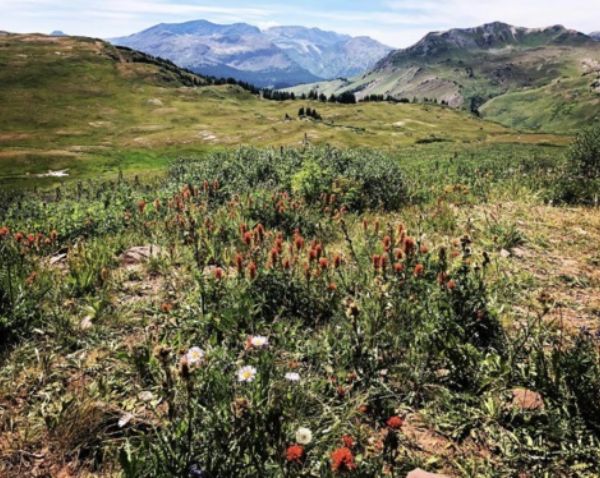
[(397, 23)]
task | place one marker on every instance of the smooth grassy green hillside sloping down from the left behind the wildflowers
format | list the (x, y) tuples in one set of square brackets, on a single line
[(85, 106)]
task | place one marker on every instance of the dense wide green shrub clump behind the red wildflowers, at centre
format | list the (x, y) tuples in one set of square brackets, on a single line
[(358, 180)]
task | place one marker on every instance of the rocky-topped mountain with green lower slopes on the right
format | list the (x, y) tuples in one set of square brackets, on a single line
[(521, 77)]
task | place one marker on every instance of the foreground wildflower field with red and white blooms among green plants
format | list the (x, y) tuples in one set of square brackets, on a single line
[(305, 312)]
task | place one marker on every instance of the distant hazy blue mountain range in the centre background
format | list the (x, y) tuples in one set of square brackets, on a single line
[(276, 57)]
